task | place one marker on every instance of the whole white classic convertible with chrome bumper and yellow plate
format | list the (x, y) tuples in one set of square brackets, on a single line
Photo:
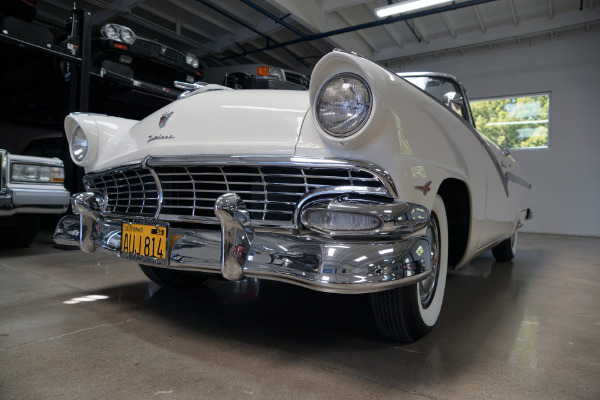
[(369, 182)]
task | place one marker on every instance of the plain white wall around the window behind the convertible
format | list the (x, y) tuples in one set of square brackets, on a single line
[(566, 177)]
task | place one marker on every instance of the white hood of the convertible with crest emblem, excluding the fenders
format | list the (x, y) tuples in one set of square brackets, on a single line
[(225, 122)]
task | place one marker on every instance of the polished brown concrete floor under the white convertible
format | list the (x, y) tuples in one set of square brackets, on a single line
[(80, 326)]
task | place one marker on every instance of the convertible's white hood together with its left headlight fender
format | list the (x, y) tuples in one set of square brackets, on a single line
[(220, 122)]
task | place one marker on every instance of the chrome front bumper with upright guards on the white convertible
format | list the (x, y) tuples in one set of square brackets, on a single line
[(350, 264)]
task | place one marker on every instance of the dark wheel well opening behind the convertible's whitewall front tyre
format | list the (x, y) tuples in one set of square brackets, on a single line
[(458, 211)]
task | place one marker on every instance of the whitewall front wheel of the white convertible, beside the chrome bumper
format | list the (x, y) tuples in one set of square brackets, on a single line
[(408, 313)]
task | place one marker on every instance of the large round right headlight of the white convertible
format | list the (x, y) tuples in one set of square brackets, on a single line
[(343, 105)]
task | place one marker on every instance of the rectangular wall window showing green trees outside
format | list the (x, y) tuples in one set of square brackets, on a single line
[(514, 122)]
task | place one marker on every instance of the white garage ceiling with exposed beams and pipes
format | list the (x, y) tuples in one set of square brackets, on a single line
[(228, 28)]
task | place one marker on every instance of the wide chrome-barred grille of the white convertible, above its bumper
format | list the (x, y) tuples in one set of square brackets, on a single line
[(270, 192)]
